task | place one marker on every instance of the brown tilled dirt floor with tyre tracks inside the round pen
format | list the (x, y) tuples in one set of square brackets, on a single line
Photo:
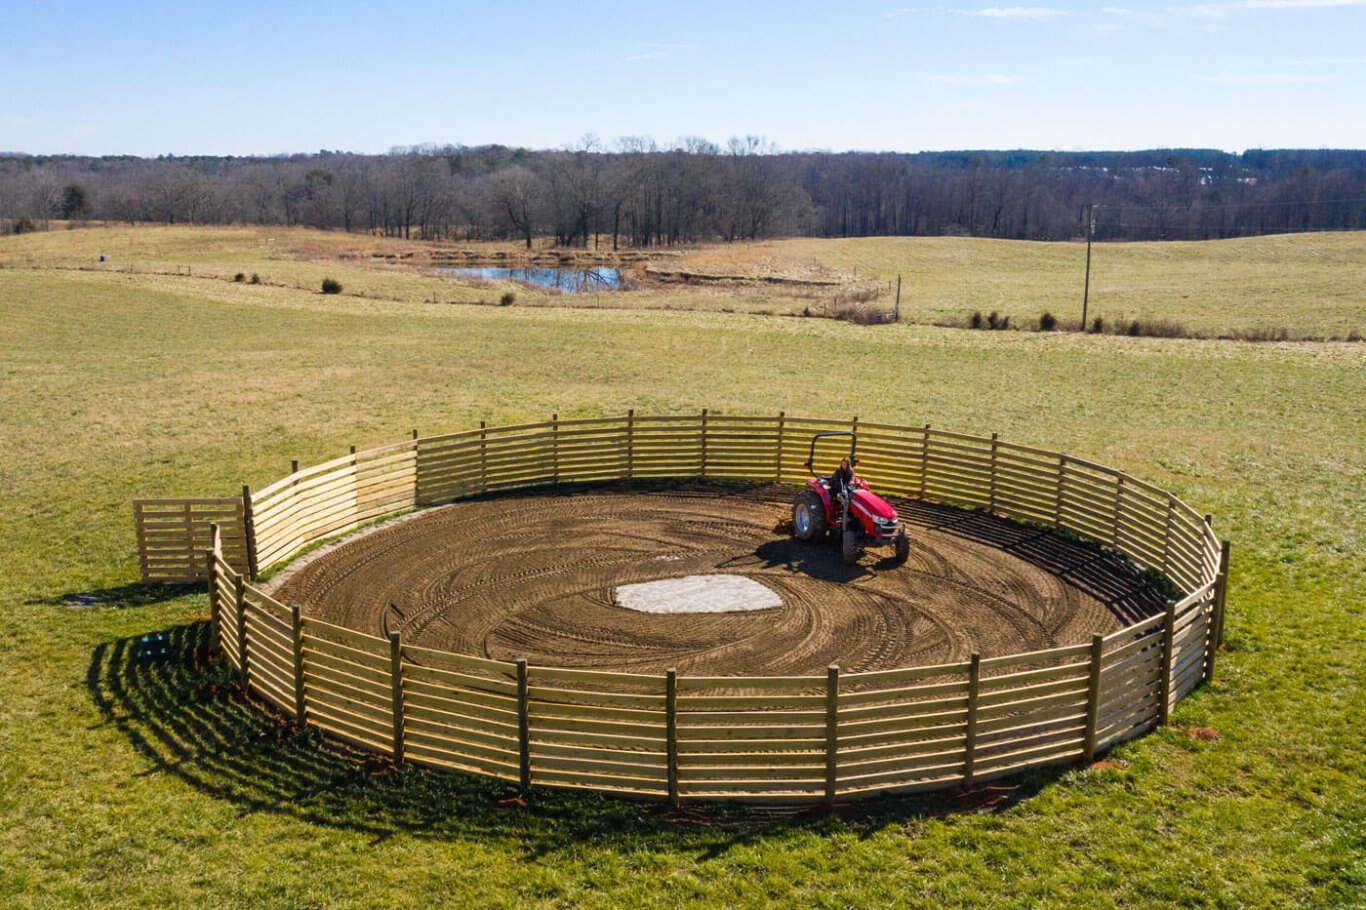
[(533, 576)]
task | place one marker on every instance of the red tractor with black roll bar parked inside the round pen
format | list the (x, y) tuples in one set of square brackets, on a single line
[(860, 517)]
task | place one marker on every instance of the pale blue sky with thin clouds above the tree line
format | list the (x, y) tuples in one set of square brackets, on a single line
[(264, 79)]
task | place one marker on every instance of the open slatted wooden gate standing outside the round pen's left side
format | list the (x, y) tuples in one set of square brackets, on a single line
[(174, 534)]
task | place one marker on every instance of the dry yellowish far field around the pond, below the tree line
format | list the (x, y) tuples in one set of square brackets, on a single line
[(1308, 285)]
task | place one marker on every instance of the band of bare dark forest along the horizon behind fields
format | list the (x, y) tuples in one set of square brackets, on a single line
[(640, 195)]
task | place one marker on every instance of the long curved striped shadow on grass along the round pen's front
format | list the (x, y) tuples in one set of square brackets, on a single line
[(189, 718)]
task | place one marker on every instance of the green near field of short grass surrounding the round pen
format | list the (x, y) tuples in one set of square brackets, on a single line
[(133, 785)]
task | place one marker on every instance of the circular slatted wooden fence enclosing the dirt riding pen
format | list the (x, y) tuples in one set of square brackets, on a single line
[(667, 737)]
